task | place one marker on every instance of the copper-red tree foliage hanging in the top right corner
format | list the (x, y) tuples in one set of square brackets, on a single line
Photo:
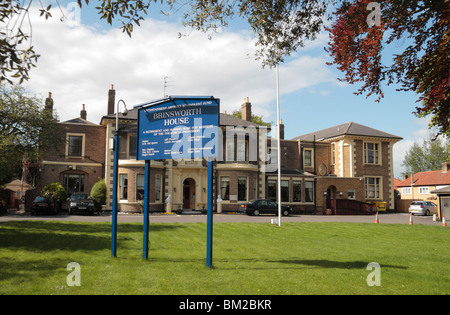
[(357, 42)]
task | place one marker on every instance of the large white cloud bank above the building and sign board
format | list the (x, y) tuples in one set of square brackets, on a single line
[(78, 64)]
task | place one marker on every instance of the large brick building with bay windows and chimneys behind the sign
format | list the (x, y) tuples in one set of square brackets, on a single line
[(348, 162)]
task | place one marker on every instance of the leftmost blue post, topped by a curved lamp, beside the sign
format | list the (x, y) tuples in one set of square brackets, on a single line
[(115, 171)]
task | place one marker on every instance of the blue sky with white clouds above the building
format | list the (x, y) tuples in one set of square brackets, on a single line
[(81, 57)]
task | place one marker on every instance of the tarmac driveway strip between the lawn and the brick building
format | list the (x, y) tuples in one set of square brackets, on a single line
[(392, 218)]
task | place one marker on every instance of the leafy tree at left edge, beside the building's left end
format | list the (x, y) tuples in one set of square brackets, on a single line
[(25, 129)]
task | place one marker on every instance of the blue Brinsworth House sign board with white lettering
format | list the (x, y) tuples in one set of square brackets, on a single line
[(178, 128)]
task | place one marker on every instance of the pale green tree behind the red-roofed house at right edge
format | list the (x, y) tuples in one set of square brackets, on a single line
[(427, 156)]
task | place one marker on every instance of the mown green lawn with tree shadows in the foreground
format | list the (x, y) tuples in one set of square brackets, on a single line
[(249, 258)]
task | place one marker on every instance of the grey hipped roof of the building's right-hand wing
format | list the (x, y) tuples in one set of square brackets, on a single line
[(350, 129)]
